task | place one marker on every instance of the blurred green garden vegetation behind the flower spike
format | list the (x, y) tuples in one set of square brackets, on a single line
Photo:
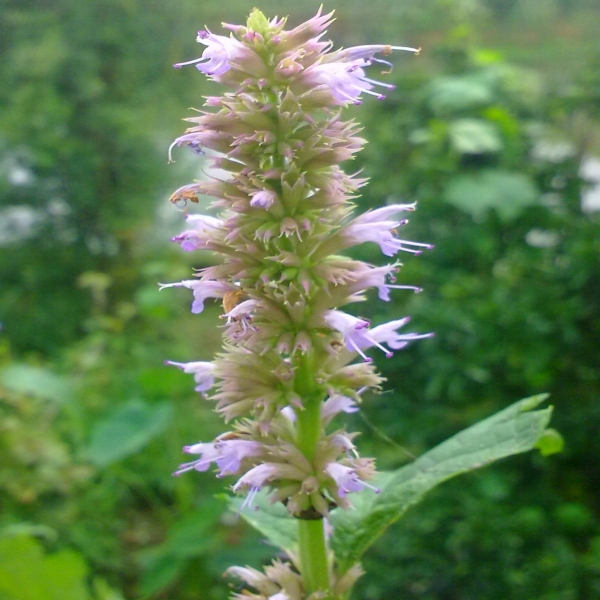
[(488, 130)]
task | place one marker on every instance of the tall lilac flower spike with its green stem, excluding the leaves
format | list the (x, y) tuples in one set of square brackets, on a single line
[(293, 359)]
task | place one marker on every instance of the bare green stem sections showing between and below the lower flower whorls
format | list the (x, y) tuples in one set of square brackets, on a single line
[(314, 564)]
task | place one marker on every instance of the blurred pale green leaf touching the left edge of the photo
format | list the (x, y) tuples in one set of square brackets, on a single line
[(36, 381)]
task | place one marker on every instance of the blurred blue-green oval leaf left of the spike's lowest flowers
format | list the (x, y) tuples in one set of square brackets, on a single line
[(125, 431)]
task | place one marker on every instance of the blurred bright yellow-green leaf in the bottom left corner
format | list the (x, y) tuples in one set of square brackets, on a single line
[(27, 574)]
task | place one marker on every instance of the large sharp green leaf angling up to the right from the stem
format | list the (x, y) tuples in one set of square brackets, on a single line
[(512, 431)]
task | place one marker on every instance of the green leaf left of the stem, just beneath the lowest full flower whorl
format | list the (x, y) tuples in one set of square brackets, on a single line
[(272, 520)]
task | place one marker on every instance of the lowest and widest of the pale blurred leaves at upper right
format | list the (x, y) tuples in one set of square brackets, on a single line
[(504, 191)]
